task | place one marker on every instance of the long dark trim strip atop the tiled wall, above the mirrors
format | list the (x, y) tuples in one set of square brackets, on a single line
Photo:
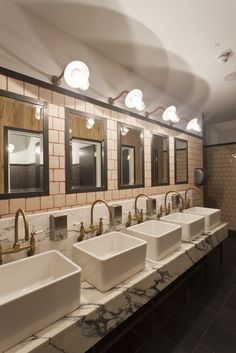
[(49, 86)]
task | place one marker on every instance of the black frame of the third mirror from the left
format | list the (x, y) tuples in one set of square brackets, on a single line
[(136, 186)]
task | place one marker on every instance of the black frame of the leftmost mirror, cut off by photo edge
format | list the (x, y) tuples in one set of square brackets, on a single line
[(44, 106)]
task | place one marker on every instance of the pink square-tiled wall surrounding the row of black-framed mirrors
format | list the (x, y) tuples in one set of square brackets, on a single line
[(56, 110)]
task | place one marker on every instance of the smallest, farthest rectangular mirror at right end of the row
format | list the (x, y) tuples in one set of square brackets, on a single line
[(181, 161)]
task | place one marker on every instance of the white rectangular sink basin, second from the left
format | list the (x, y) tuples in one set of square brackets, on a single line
[(110, 259)]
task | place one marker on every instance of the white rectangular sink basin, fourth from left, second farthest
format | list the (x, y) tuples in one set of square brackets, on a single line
[(193, 225)]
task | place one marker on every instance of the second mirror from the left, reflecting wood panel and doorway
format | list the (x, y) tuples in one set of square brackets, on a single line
[(86, 152)]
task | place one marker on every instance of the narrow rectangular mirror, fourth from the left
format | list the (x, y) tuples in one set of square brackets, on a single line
[(160, 160)]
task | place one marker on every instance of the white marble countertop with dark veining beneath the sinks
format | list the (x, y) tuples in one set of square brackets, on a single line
[(99, 312)]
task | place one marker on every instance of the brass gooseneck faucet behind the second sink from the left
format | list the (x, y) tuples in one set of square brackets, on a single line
[(92, 229)]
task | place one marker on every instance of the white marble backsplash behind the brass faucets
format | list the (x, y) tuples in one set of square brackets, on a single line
[(40, 222)]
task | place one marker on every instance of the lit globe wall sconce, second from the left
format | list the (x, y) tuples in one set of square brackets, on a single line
[(133, 99)]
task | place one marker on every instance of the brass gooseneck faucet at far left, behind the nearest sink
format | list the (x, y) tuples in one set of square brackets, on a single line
[(17, 246)]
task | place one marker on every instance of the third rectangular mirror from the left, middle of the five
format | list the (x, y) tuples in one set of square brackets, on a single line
[(130, 157)]
